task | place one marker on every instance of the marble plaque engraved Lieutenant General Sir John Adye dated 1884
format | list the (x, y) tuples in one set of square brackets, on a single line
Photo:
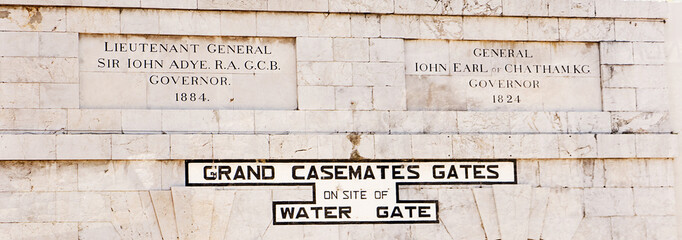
[(187, 72)]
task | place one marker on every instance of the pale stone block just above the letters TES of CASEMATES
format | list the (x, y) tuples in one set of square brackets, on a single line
[(393, 146)]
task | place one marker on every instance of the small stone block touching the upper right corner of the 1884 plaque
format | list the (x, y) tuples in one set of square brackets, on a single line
[(314, 49)]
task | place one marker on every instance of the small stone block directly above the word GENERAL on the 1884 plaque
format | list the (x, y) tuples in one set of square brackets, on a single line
[(238, 23)]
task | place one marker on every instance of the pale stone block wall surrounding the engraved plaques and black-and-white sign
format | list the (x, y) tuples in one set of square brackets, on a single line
[(75, 167)]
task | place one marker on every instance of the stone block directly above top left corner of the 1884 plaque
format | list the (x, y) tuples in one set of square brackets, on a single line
[(88, 20)]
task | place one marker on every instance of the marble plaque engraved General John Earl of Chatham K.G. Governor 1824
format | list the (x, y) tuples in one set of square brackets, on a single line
[(502, 76)]
